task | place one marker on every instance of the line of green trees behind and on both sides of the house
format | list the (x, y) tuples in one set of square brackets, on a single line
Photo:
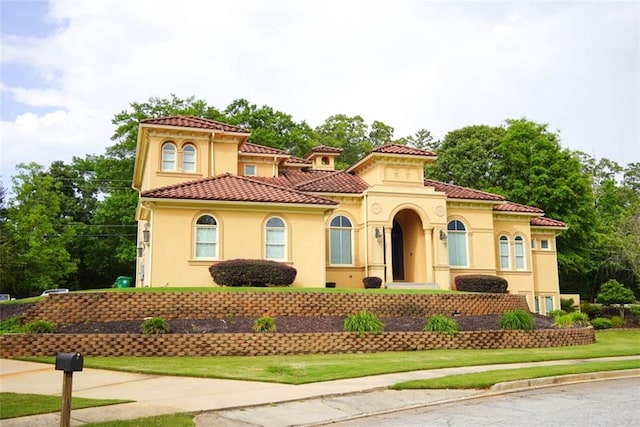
[(73, 224)]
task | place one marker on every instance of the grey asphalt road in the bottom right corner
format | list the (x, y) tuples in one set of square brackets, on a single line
[(599, 403)]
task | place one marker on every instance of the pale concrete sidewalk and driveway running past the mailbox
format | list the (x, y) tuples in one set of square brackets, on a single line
[(267, 404)]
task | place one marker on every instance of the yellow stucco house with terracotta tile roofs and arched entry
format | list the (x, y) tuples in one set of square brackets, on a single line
[(207, 194)]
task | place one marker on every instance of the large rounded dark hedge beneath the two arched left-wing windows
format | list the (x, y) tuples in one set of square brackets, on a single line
[(252, 272)]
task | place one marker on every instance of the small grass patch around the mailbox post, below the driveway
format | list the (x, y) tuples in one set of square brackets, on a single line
[(23, 404)]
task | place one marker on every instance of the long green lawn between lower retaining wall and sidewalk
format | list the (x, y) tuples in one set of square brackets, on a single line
[(301, 369)]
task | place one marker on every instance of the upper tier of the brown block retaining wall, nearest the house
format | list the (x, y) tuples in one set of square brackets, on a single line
[(108, 306)]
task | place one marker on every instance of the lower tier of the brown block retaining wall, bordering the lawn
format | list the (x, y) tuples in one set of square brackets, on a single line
[(246, 344)]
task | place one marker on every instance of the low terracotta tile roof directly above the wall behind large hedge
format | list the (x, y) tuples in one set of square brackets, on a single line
[(234, 188)]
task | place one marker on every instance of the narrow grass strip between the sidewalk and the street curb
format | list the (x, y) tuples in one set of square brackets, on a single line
[(484, 380)]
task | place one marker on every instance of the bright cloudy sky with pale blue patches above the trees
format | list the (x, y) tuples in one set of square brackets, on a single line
[(68, 66)]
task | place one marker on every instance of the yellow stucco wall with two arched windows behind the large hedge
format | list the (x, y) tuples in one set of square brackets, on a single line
[(240, 235)]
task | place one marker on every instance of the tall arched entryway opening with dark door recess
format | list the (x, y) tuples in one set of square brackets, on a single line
[(408, 247)]
